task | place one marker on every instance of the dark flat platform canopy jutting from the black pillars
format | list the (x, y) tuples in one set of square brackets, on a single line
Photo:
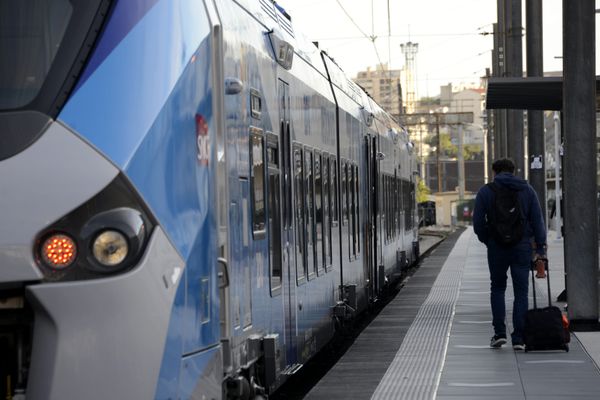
[(535, 93)]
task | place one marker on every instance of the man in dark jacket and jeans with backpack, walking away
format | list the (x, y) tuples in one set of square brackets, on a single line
[(508, 219)]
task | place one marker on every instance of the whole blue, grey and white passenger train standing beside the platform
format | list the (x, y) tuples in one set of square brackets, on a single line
[(193, 198)]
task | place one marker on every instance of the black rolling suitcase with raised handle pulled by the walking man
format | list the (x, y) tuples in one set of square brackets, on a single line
[(544, 327)]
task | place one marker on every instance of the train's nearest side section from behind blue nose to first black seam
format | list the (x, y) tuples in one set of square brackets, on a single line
[(296, 126)]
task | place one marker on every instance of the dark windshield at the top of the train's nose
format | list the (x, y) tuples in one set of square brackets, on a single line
[(31, 34)]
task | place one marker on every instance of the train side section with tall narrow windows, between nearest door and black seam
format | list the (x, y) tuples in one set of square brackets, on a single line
[(313, 150)]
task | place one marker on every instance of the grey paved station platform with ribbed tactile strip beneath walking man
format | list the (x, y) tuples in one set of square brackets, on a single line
[(432, 340)]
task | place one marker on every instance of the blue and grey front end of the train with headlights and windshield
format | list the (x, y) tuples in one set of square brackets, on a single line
[(106, 187)]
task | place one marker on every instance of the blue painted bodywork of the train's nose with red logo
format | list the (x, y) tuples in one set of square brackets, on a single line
[(147, 106)]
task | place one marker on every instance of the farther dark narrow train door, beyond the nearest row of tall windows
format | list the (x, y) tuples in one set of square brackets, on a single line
[(369, 217)]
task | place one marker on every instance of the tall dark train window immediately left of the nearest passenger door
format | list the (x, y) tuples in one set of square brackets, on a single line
[(274, 213)]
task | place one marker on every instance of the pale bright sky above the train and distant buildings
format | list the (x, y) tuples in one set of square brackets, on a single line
[(455, 44)]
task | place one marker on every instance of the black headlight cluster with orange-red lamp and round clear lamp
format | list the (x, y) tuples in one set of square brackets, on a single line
[(105, 236)]
